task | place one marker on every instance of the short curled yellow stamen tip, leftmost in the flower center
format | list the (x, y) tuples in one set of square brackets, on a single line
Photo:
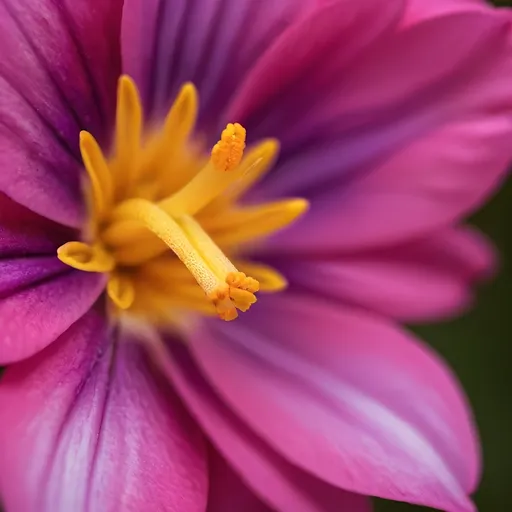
[(89, 258)]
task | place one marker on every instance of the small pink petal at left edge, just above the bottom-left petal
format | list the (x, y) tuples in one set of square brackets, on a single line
[(45, 306)]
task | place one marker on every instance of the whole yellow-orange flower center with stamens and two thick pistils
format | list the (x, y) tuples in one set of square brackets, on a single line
[(163, 217)]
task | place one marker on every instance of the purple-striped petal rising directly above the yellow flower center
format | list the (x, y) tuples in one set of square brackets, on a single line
[(211, 43)]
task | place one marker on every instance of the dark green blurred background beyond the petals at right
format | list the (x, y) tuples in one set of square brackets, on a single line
[(476, 346)]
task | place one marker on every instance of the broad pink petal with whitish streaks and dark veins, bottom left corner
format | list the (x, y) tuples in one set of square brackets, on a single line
[(110, 434)]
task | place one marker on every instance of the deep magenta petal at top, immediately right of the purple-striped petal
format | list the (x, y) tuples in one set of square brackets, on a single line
[(303, 63)]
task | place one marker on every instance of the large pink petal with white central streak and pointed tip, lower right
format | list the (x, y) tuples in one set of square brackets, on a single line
[(347, 397)]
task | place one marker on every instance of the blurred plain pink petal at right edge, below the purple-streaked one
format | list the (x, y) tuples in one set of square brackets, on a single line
[(432, 183)]
